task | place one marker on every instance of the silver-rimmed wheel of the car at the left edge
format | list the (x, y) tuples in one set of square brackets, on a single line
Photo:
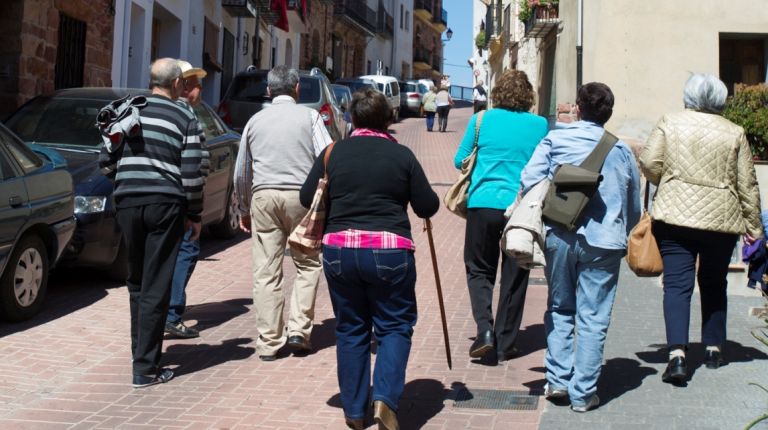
[(24, 282)]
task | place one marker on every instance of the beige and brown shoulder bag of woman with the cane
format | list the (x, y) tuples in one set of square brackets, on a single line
[(308, 235)]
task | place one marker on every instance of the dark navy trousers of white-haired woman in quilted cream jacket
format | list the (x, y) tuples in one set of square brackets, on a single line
[(680, 246)]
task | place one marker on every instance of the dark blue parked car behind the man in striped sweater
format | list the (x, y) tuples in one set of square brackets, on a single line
[(65, 120)]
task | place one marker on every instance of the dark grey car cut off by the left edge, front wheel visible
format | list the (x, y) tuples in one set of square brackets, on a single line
[(36, 223)]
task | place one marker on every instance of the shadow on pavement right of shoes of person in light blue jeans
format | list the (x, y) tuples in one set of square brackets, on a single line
[(619, 376)]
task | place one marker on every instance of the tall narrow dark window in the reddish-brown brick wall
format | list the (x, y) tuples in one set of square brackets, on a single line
[(70, 54)]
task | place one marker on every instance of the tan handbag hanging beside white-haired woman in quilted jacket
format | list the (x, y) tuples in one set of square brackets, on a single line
[(643, 255)]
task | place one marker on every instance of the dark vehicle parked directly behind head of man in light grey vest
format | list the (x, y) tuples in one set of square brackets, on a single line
[(247, 94)]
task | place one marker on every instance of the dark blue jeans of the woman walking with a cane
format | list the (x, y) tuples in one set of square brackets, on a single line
[(371, 289)]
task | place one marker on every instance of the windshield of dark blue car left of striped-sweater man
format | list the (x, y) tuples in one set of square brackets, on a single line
[(58, 121)]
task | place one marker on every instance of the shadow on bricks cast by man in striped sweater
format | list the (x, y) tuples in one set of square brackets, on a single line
[(192, 358)]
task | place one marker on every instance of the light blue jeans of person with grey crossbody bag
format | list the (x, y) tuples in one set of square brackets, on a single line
[(582, 286)]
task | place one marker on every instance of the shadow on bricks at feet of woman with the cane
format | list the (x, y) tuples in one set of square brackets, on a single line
[(422, 399)]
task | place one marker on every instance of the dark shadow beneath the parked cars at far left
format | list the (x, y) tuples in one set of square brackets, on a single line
[(68, 290)]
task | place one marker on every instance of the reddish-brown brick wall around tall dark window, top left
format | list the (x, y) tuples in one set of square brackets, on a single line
[(32, 72)]
